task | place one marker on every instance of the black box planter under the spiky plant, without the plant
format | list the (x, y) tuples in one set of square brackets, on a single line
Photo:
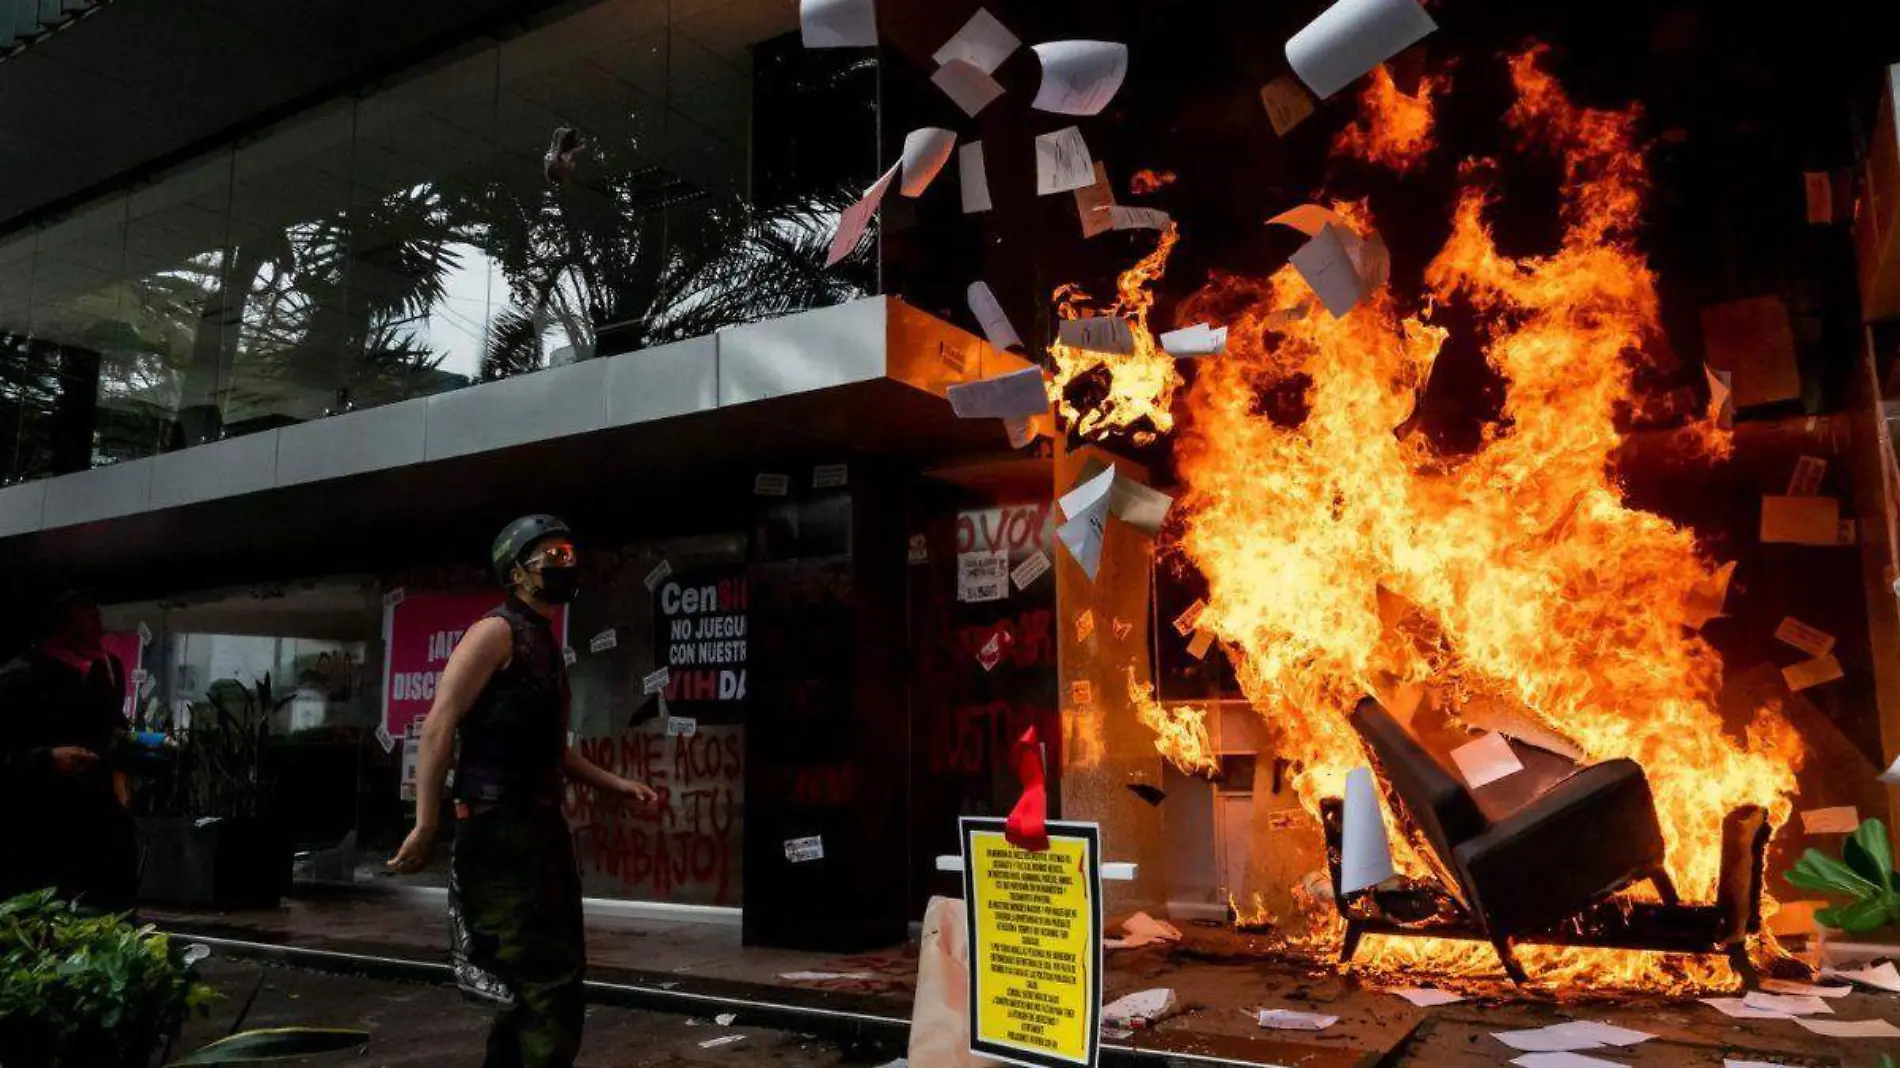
[(223, 864)]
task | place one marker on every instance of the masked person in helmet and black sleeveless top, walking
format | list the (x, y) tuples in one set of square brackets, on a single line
[(514, 887)]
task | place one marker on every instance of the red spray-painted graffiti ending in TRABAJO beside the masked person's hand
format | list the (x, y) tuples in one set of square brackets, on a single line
[(687, 847)]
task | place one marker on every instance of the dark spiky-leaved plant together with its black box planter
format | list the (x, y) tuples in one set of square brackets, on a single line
[(208, 822)]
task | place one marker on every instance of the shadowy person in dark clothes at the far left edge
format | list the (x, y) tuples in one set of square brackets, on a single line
[(64, 734)]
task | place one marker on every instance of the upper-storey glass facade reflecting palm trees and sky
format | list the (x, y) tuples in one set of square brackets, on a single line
[(430, 235)]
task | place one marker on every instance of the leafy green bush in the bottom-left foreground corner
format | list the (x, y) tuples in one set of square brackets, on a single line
[(86, 991)]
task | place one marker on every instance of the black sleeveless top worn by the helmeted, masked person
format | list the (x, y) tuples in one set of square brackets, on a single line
[(514, 734)]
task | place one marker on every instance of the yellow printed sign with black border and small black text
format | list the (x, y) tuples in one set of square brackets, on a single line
[(1035, 945)]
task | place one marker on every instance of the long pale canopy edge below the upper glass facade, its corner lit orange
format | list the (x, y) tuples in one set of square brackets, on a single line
[(865, 341)]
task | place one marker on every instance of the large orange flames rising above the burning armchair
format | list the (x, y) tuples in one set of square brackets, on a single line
[(1346, 556)]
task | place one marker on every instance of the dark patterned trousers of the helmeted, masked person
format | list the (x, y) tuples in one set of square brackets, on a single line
[(516, 915)]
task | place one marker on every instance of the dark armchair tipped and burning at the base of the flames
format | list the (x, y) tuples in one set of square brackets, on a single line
[(1540, 862)]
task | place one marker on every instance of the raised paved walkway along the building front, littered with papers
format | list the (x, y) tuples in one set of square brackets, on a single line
[(1223, 978)]
